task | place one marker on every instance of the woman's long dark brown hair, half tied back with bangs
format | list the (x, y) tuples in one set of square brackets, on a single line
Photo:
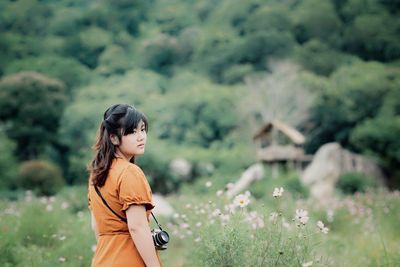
[(119, 120)]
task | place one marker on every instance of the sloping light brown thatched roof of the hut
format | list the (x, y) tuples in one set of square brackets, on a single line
[(289, 131)]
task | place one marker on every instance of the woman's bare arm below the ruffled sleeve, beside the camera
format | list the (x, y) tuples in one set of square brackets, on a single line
[(141, 234)]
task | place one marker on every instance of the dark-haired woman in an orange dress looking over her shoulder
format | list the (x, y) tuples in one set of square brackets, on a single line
[(122, 184)]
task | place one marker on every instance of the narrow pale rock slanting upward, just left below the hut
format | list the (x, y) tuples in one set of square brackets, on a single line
[(253, 173)]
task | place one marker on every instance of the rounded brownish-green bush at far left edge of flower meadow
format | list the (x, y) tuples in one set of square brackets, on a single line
[(41, 176)]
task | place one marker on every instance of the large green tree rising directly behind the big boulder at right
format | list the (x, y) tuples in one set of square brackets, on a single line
[(356, 93)]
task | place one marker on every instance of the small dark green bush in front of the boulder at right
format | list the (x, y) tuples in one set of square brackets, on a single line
[(352, 182)]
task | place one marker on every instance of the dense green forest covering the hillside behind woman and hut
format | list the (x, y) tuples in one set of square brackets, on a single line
[(183, 63)]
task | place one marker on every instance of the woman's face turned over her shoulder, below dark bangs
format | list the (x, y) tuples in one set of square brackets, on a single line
[(134, 144)]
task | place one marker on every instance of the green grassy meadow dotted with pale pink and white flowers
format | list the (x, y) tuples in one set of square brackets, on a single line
[(208, 231)]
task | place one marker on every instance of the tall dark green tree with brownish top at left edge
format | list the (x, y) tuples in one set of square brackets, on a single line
[(31, 105)]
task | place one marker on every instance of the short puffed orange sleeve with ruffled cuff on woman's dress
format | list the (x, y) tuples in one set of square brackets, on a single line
[(134, 188)]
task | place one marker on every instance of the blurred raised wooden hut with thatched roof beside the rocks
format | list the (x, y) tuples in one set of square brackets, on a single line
[(280, 145)]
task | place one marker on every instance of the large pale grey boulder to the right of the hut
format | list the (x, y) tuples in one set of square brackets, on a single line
[(330, 162)]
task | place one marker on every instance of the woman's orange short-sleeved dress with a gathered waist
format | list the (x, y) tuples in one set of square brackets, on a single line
[(126, 185)]
